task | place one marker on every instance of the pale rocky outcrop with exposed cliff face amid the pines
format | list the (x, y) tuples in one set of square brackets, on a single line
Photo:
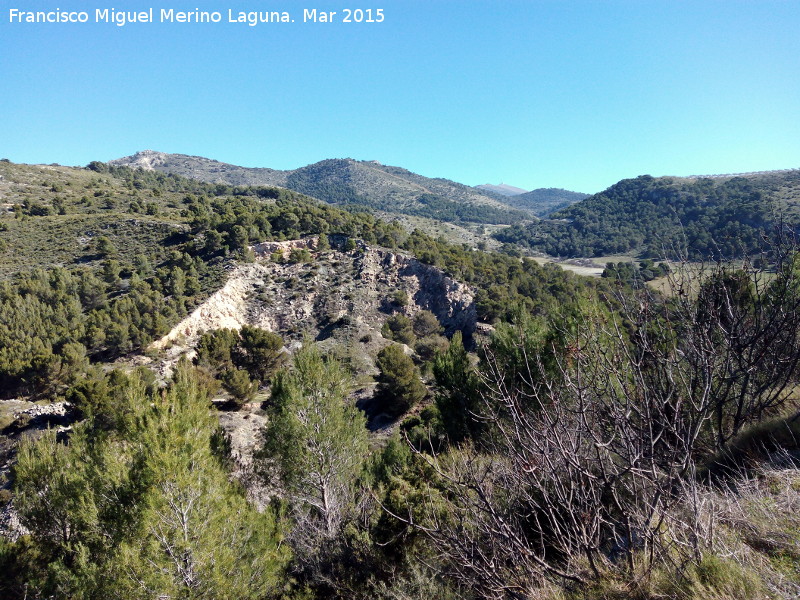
[(336, 286)]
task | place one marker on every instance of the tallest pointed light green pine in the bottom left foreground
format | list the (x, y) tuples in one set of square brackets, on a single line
[(198, 535)]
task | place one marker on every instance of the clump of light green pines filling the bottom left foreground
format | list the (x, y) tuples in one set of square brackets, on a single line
[(146, 509)]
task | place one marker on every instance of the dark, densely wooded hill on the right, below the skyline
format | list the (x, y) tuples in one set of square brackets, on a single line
[(702, 217)]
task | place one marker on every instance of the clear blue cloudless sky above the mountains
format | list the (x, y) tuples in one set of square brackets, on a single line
[(531, 93)]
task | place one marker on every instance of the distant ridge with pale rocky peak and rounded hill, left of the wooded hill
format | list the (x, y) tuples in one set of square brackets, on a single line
[(347, 182)]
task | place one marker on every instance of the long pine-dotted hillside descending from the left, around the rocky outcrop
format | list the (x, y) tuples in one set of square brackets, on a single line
[(104, 260)]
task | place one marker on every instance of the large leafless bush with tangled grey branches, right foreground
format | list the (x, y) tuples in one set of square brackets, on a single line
[(588, 464)]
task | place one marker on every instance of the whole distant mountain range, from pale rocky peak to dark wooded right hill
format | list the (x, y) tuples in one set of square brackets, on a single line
[(698, 216)]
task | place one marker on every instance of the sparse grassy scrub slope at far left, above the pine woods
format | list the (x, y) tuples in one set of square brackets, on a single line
[(52, 216)]
